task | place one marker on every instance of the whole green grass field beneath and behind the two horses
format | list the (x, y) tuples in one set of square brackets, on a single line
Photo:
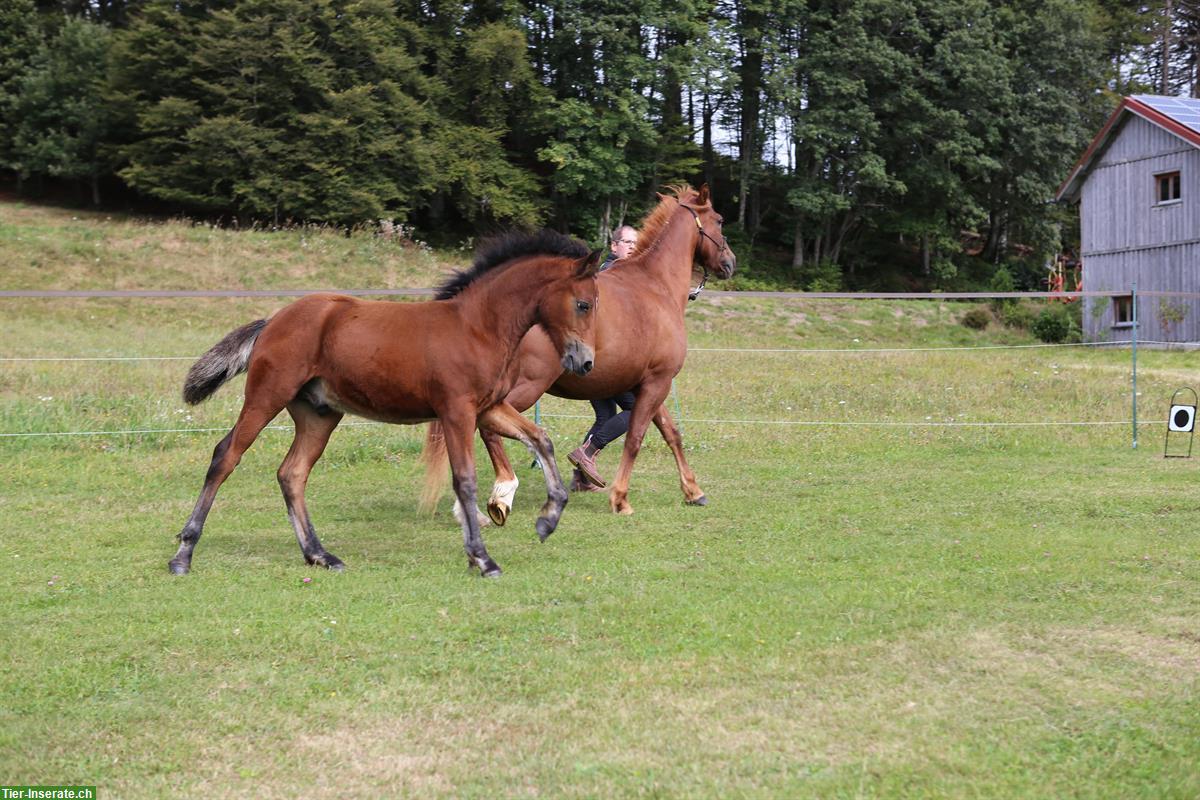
[(908, 611)]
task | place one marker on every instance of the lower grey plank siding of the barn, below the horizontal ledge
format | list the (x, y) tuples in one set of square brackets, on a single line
[(1162, 269)]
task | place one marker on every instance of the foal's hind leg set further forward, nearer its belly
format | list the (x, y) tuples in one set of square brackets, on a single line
[(313, 435)]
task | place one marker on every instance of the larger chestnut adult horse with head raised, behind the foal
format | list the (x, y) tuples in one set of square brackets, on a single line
[(641, 344)]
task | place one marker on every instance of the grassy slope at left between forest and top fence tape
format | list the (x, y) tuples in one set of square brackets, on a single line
[(57, 249)]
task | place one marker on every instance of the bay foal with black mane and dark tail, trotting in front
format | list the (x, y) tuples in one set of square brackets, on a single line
[(328, 356)]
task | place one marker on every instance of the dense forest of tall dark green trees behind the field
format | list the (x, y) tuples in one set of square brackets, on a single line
[(850, 143)]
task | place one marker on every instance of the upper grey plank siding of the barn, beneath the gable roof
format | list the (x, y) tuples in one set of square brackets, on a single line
[(1119, 209)]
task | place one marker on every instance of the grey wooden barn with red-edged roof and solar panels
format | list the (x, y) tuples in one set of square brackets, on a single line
[(1138, 188)]
